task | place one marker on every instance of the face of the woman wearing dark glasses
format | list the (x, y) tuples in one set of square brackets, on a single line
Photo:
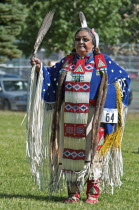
[(83, 43)]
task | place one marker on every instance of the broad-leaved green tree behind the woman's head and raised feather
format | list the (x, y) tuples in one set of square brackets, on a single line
[(106, 16)]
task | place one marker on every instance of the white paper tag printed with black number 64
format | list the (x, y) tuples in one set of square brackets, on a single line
[(109, 115)]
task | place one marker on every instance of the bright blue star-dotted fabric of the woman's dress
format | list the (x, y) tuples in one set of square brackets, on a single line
[(115, 72)]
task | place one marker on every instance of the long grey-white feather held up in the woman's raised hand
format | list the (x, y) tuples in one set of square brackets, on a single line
[(43, 30)]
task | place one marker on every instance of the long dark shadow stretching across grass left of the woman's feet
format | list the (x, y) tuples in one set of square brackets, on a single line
[(34, 197)]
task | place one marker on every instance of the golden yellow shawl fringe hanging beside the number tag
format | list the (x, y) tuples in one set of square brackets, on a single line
[(114, 139)]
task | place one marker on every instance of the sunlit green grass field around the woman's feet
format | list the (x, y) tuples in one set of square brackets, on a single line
[(17, 188)]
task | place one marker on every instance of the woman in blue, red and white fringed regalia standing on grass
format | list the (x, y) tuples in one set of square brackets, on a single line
[(76, 119)]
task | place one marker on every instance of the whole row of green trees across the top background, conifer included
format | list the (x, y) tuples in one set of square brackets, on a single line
[(115, 21)]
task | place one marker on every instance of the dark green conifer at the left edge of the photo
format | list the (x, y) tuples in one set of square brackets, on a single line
[(11, 18)]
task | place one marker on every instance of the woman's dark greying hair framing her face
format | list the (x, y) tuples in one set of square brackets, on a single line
[(96, 50)]
